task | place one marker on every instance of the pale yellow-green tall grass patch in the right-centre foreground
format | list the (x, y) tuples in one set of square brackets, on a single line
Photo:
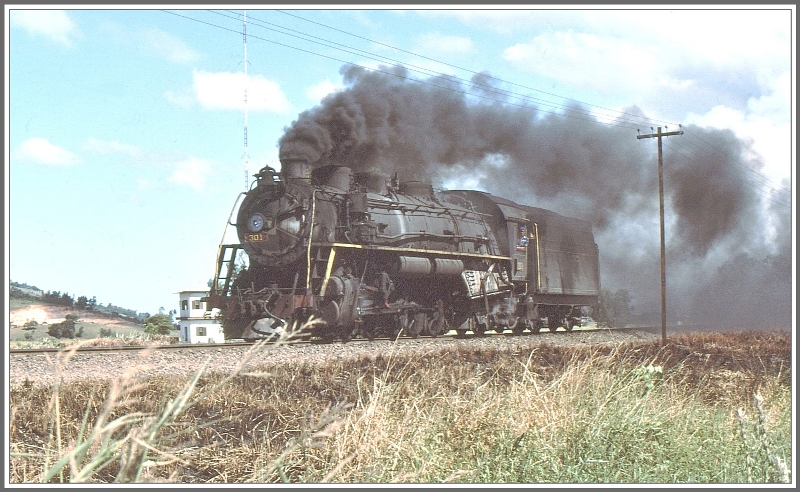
[(605, 418)]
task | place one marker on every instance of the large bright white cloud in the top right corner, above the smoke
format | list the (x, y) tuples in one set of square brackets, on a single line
[(669, 62)]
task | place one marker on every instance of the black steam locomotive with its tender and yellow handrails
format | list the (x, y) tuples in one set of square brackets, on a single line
[(341, 255)]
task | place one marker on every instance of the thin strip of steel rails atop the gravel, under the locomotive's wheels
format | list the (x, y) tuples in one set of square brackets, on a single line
[(301, 341)]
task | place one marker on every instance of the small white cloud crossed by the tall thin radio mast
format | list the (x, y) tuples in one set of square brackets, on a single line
[(225, 90)]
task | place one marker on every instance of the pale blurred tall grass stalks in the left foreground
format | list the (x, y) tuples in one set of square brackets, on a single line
[(130, 442)]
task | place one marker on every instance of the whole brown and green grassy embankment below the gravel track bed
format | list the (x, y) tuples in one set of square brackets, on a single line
[(705, 408)]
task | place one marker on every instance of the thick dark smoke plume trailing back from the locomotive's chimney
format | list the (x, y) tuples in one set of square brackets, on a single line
[(727, 253)]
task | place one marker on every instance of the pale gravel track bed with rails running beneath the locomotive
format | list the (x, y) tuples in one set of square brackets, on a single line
[(47, 366)]
